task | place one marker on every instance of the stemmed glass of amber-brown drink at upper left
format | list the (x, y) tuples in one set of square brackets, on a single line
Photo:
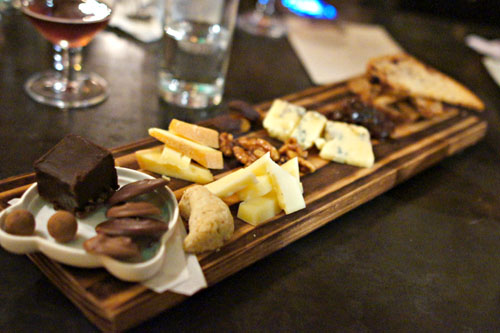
[(69, 25)]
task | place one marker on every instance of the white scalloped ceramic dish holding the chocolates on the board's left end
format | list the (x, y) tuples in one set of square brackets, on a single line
[(72, 253)]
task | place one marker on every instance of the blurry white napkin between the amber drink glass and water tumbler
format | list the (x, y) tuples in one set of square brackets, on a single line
[(144, 30)]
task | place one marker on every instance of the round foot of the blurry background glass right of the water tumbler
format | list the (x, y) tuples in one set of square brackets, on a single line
[(257, 23)]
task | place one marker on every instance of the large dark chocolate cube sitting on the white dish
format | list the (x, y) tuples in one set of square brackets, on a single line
[(76, 175)]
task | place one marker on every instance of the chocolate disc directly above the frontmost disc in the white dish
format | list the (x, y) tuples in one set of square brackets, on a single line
[(132, 227)]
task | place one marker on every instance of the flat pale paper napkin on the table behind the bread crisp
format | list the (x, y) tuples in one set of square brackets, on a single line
[(333, 52)]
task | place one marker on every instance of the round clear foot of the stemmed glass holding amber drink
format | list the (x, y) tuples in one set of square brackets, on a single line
[(49, 88)]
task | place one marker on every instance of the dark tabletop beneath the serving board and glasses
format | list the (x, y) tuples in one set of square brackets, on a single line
[(425, 256)]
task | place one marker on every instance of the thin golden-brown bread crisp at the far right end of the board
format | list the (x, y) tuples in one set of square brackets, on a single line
[(405, 75)]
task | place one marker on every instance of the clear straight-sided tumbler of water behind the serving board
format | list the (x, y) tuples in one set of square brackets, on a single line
[(197, 40)]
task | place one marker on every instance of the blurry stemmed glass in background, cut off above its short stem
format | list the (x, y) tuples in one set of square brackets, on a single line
[(263, 20)]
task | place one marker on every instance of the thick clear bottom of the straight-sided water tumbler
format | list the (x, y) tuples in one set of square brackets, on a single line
[(190, 94)]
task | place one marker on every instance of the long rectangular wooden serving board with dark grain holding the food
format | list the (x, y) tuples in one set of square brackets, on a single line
[(115, 305)]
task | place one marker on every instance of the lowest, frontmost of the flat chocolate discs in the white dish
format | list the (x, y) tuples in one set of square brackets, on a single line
[(115, 247)]
